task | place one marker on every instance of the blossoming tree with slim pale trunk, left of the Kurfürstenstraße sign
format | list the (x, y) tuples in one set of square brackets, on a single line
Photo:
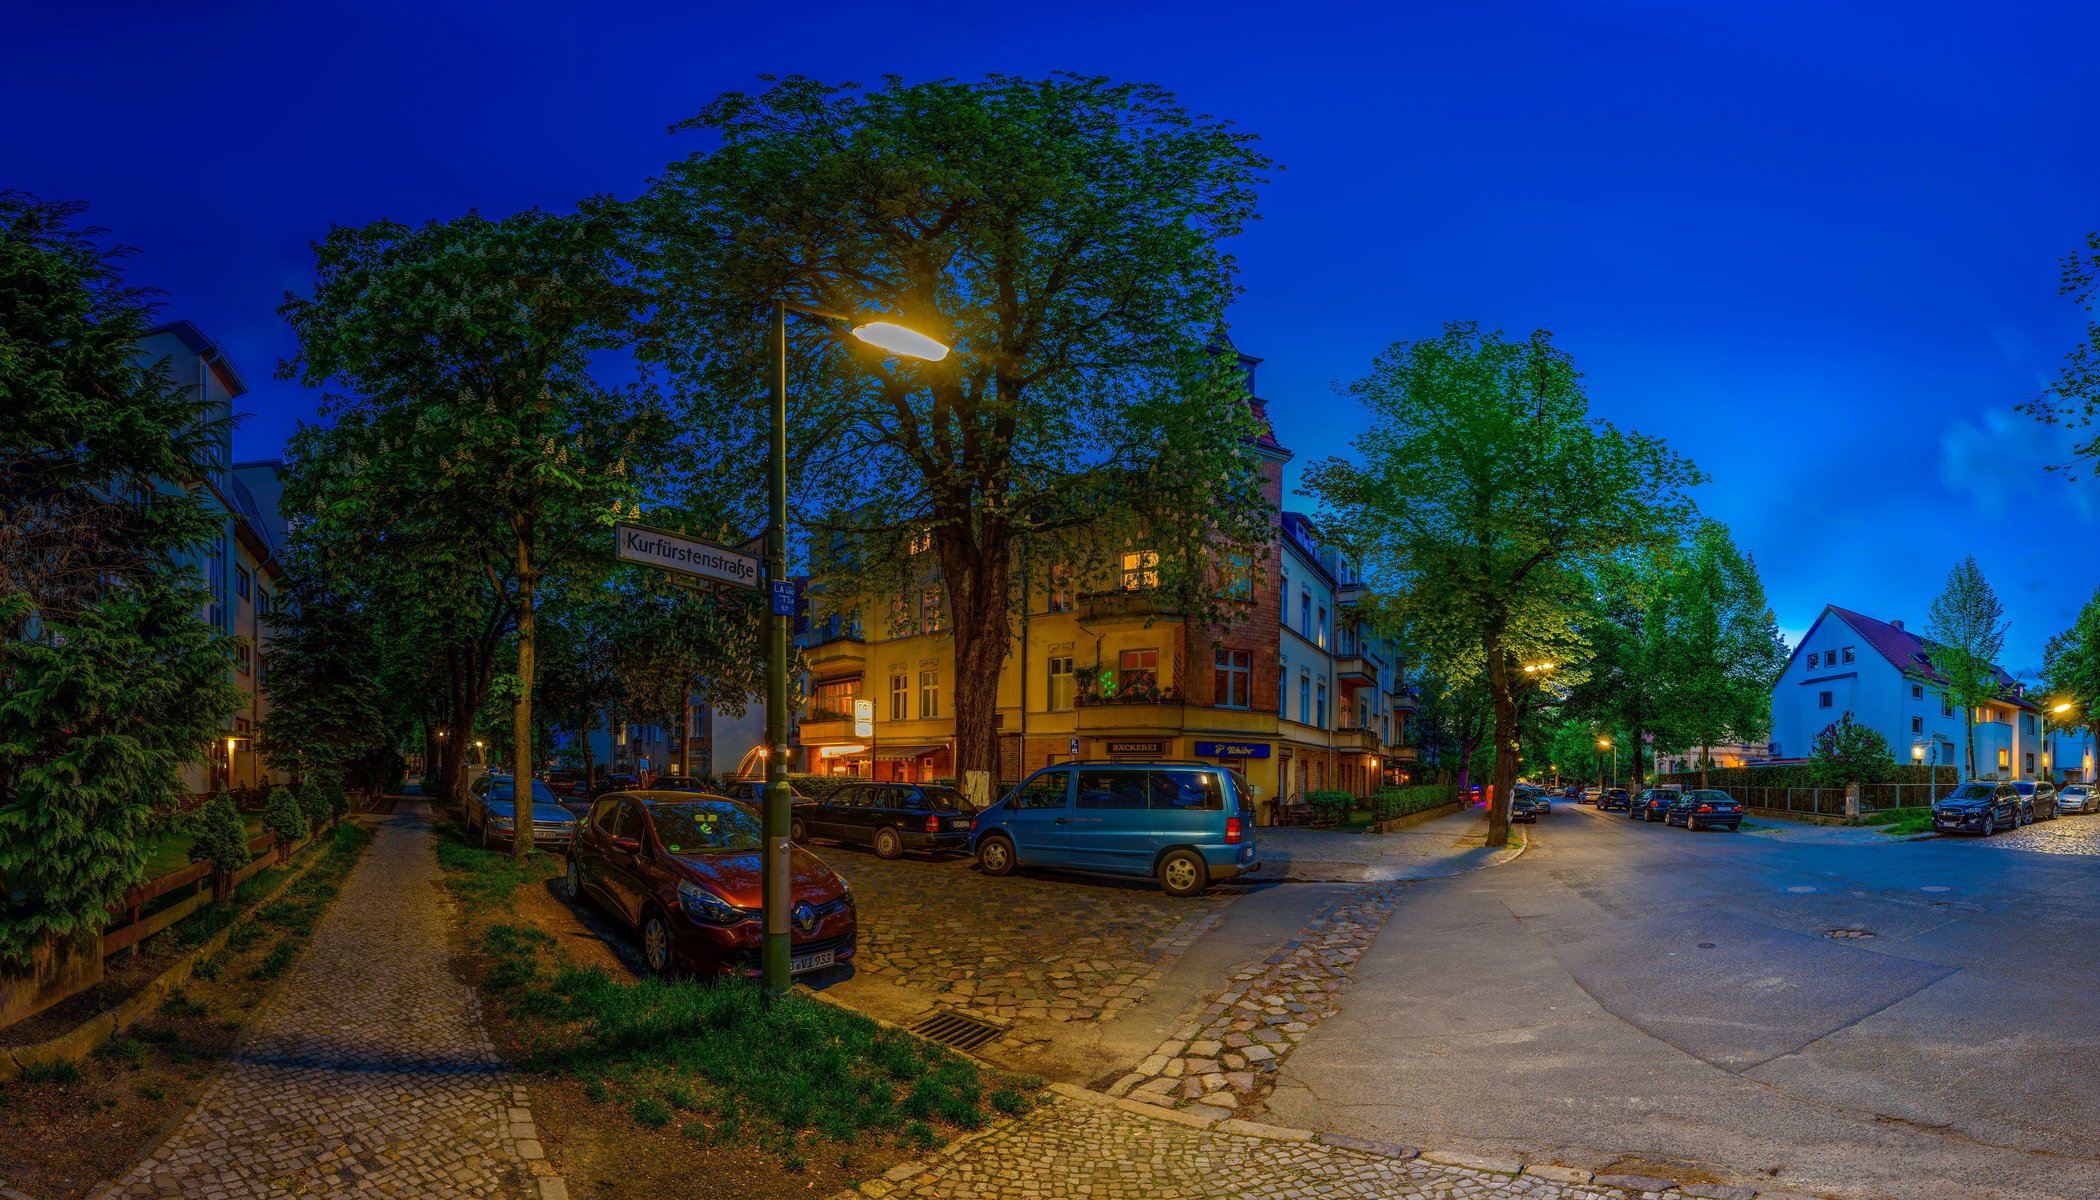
[(465, 352)]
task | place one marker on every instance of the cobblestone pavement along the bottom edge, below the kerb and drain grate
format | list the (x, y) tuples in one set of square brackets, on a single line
[(1097, 1149)]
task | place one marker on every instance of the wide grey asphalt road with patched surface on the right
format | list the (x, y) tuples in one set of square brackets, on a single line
[(1908, 1020)]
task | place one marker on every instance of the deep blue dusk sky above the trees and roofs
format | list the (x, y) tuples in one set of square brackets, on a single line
[(1813, 245)]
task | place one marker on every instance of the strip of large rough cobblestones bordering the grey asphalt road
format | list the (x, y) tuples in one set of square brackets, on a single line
[(1221, 1062)]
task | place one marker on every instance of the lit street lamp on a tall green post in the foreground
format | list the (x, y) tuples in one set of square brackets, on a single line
[(776, 873)]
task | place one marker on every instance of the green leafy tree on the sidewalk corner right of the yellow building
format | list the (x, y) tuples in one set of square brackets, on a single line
[(1486, 501)]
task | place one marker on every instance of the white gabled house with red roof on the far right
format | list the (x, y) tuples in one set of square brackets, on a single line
[(1885, 678)]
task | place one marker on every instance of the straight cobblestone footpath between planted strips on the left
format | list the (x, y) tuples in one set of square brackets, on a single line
[(369, 1073)]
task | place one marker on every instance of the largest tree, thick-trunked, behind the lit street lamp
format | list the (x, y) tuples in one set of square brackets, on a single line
[(1064, 236)]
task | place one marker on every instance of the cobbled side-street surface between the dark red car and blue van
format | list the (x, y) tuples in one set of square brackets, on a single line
[(1022, 949)]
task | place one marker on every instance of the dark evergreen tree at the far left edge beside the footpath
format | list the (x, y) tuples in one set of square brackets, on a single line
[(108, 678)]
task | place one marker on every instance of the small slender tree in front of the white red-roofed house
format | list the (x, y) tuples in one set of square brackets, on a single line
[(1723, 648)]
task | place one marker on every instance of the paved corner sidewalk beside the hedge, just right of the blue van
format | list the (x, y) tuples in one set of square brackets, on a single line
[(1431, 850)]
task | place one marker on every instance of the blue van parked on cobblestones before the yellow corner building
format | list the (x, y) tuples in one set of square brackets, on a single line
[(1183, 825)]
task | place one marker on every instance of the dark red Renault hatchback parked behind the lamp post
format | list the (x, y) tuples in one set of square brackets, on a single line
[(686, 873)]
